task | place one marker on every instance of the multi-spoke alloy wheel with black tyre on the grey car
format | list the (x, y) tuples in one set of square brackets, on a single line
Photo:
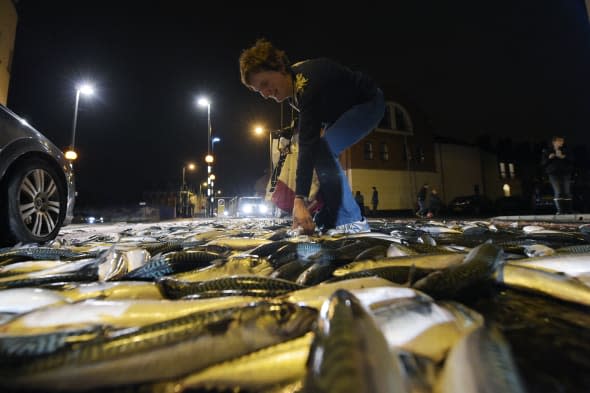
[(35, 205)]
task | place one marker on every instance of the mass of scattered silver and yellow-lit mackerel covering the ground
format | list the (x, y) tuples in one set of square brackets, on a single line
[(234, 305)]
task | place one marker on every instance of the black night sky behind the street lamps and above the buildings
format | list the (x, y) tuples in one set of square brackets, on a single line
[(518, 68)]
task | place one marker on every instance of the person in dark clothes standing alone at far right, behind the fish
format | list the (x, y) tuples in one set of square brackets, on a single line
[(558, 165)]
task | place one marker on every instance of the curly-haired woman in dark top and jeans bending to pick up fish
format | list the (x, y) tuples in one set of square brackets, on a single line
[(336, 108)]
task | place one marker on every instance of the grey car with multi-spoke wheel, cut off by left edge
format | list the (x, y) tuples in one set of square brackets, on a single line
[(37, 185)]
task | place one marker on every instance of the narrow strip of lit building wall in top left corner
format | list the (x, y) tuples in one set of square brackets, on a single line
[(8, 20)]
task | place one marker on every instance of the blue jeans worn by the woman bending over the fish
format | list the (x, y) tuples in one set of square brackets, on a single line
[(352, 126)]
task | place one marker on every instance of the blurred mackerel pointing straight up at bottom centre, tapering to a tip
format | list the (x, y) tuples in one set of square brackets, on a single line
[(349, 353)]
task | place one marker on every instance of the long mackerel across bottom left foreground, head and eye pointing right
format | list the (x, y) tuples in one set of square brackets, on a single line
[(165, 350)]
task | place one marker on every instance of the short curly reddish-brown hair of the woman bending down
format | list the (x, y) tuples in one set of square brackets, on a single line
[(263, 56)]
